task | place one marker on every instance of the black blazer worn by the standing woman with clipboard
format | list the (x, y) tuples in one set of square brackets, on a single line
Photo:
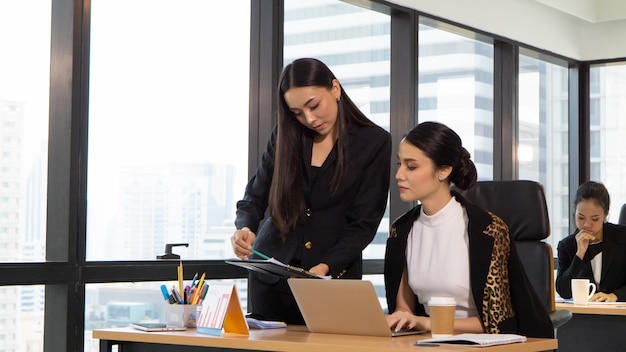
[(340, 225)]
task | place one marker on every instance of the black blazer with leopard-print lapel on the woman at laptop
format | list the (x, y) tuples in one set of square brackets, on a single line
[(503, 295)]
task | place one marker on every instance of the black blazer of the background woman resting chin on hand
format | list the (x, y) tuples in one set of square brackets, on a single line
[(613, 275)]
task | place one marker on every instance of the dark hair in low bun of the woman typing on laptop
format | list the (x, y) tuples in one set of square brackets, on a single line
[(441, 144)]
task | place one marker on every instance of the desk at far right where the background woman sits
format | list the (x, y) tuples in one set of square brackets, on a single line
[(593, 327)]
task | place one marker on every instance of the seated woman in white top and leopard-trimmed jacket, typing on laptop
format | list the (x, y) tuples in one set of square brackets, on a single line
[(448, 247)]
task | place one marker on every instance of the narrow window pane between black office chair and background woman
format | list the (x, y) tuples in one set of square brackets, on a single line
[(542, 149)]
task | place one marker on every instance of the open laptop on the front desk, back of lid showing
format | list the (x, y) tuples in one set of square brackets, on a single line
[(348, 307)]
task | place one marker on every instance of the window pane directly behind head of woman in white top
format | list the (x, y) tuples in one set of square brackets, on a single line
[(455, 87)]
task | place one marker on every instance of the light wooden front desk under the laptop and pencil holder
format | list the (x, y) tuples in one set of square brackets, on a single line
[(286, 340)]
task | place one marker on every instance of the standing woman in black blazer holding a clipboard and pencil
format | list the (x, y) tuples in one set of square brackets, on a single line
[(324, 177)]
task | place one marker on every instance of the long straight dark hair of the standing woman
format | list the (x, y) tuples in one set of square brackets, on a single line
[(286, 201)]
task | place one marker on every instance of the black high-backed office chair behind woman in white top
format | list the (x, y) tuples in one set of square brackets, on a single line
[(522, 205)]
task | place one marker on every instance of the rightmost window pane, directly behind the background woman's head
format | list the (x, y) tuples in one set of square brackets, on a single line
[(607, 131)]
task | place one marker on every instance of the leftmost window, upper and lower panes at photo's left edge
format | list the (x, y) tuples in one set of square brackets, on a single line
[(24, 100)]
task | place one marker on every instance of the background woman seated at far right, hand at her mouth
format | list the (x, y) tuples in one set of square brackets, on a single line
[(596, 251)]
